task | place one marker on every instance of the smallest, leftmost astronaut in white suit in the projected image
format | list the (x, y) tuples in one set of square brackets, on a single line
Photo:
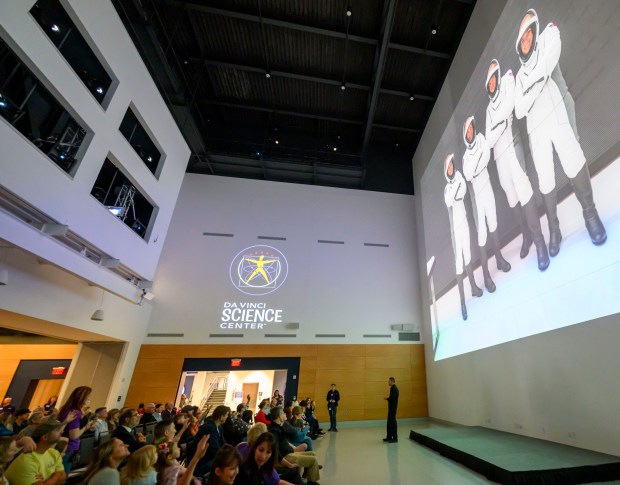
[(454, 195)]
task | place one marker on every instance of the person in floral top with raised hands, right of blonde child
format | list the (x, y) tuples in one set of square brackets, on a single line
[(169, 470)]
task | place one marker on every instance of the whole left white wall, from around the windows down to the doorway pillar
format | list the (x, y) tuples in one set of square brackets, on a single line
[(61, 298)]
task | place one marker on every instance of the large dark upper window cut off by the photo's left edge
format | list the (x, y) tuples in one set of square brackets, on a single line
[(35, 113)]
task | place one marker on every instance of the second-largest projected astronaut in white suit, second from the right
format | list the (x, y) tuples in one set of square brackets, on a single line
[(510, 168)]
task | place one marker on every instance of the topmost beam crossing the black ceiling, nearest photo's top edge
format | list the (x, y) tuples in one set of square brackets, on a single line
[(302, 28)]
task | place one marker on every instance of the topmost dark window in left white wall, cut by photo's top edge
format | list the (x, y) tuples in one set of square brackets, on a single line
[(61, 30)]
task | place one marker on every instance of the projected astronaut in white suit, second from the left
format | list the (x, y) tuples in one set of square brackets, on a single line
[(475, 162)]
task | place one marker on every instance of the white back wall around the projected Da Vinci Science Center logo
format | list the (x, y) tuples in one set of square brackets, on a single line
[(331, 288)]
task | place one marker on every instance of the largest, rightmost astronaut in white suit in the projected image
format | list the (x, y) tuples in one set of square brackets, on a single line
[(540, 100)]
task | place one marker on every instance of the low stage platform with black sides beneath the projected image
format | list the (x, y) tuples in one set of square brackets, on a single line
[(514, 459)]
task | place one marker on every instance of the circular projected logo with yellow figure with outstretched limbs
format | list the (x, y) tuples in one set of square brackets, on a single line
[(258, 270)]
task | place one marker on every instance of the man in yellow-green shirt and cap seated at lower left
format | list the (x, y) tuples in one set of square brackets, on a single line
[(44, 464)]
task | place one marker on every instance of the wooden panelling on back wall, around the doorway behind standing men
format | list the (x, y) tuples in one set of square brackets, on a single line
[(360, 372)]
